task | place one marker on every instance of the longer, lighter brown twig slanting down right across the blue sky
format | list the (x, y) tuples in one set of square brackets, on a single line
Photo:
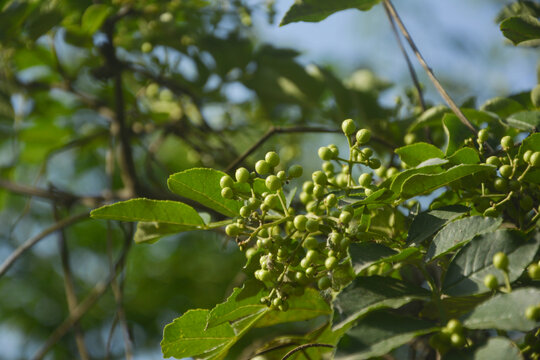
[(388, 5)]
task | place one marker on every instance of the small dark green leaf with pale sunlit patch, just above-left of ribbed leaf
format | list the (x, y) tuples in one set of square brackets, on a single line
[(427, 223)]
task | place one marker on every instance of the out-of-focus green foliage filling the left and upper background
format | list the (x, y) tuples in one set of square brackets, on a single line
[(101, 101)]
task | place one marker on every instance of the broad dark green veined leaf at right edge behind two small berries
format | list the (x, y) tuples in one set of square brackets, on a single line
[(466, 272)]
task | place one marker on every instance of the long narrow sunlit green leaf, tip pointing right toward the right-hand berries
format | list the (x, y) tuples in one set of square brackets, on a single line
[(426, 183)]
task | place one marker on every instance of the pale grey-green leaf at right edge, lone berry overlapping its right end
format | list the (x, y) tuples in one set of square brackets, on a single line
[(505, 311)]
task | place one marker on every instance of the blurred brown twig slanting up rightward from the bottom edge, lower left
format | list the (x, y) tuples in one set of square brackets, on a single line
[(84, 306)]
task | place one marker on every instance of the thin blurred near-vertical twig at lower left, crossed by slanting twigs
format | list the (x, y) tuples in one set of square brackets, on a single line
[(71, 295)]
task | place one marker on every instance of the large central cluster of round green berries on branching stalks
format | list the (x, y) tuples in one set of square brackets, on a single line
[(292, 250)]
